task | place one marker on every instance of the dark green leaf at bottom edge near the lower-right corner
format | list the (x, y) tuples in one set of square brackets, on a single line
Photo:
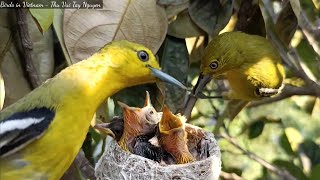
[(294, 170)]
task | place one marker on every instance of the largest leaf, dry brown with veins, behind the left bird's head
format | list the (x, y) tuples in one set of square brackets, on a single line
[(86, 31)]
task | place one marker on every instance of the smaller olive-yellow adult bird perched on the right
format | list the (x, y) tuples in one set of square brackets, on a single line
[(250, 64)]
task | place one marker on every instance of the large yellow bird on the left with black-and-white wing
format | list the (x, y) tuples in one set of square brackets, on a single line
[(41, 134)]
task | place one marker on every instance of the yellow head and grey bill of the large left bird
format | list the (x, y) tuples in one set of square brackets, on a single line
[(134, 63)]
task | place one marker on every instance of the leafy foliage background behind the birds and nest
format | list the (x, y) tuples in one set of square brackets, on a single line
[(267, 139)]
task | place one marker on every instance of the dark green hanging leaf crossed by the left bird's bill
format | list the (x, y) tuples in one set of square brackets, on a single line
[(175, 62)]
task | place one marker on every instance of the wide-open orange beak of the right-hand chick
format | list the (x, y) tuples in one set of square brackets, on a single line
[(169, 121)]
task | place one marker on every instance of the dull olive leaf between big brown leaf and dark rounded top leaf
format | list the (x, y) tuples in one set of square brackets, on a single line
[(183, 27)]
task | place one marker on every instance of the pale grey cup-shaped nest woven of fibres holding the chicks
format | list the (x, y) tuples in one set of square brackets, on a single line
[(117, 164)]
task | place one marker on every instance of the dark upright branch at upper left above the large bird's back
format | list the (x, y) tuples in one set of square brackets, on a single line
[(27, 47)]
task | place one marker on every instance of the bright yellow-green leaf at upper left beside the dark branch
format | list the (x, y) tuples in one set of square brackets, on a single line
[(43, 17)]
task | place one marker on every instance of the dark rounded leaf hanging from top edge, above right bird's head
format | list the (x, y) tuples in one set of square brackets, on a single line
[(211, 15)]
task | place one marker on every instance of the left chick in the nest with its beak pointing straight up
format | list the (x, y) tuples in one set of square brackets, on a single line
[(134, 130)]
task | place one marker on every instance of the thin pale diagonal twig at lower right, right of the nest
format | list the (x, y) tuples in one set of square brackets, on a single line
[(282, 173)]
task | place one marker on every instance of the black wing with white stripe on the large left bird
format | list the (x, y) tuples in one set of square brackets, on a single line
[(20, 129)]
